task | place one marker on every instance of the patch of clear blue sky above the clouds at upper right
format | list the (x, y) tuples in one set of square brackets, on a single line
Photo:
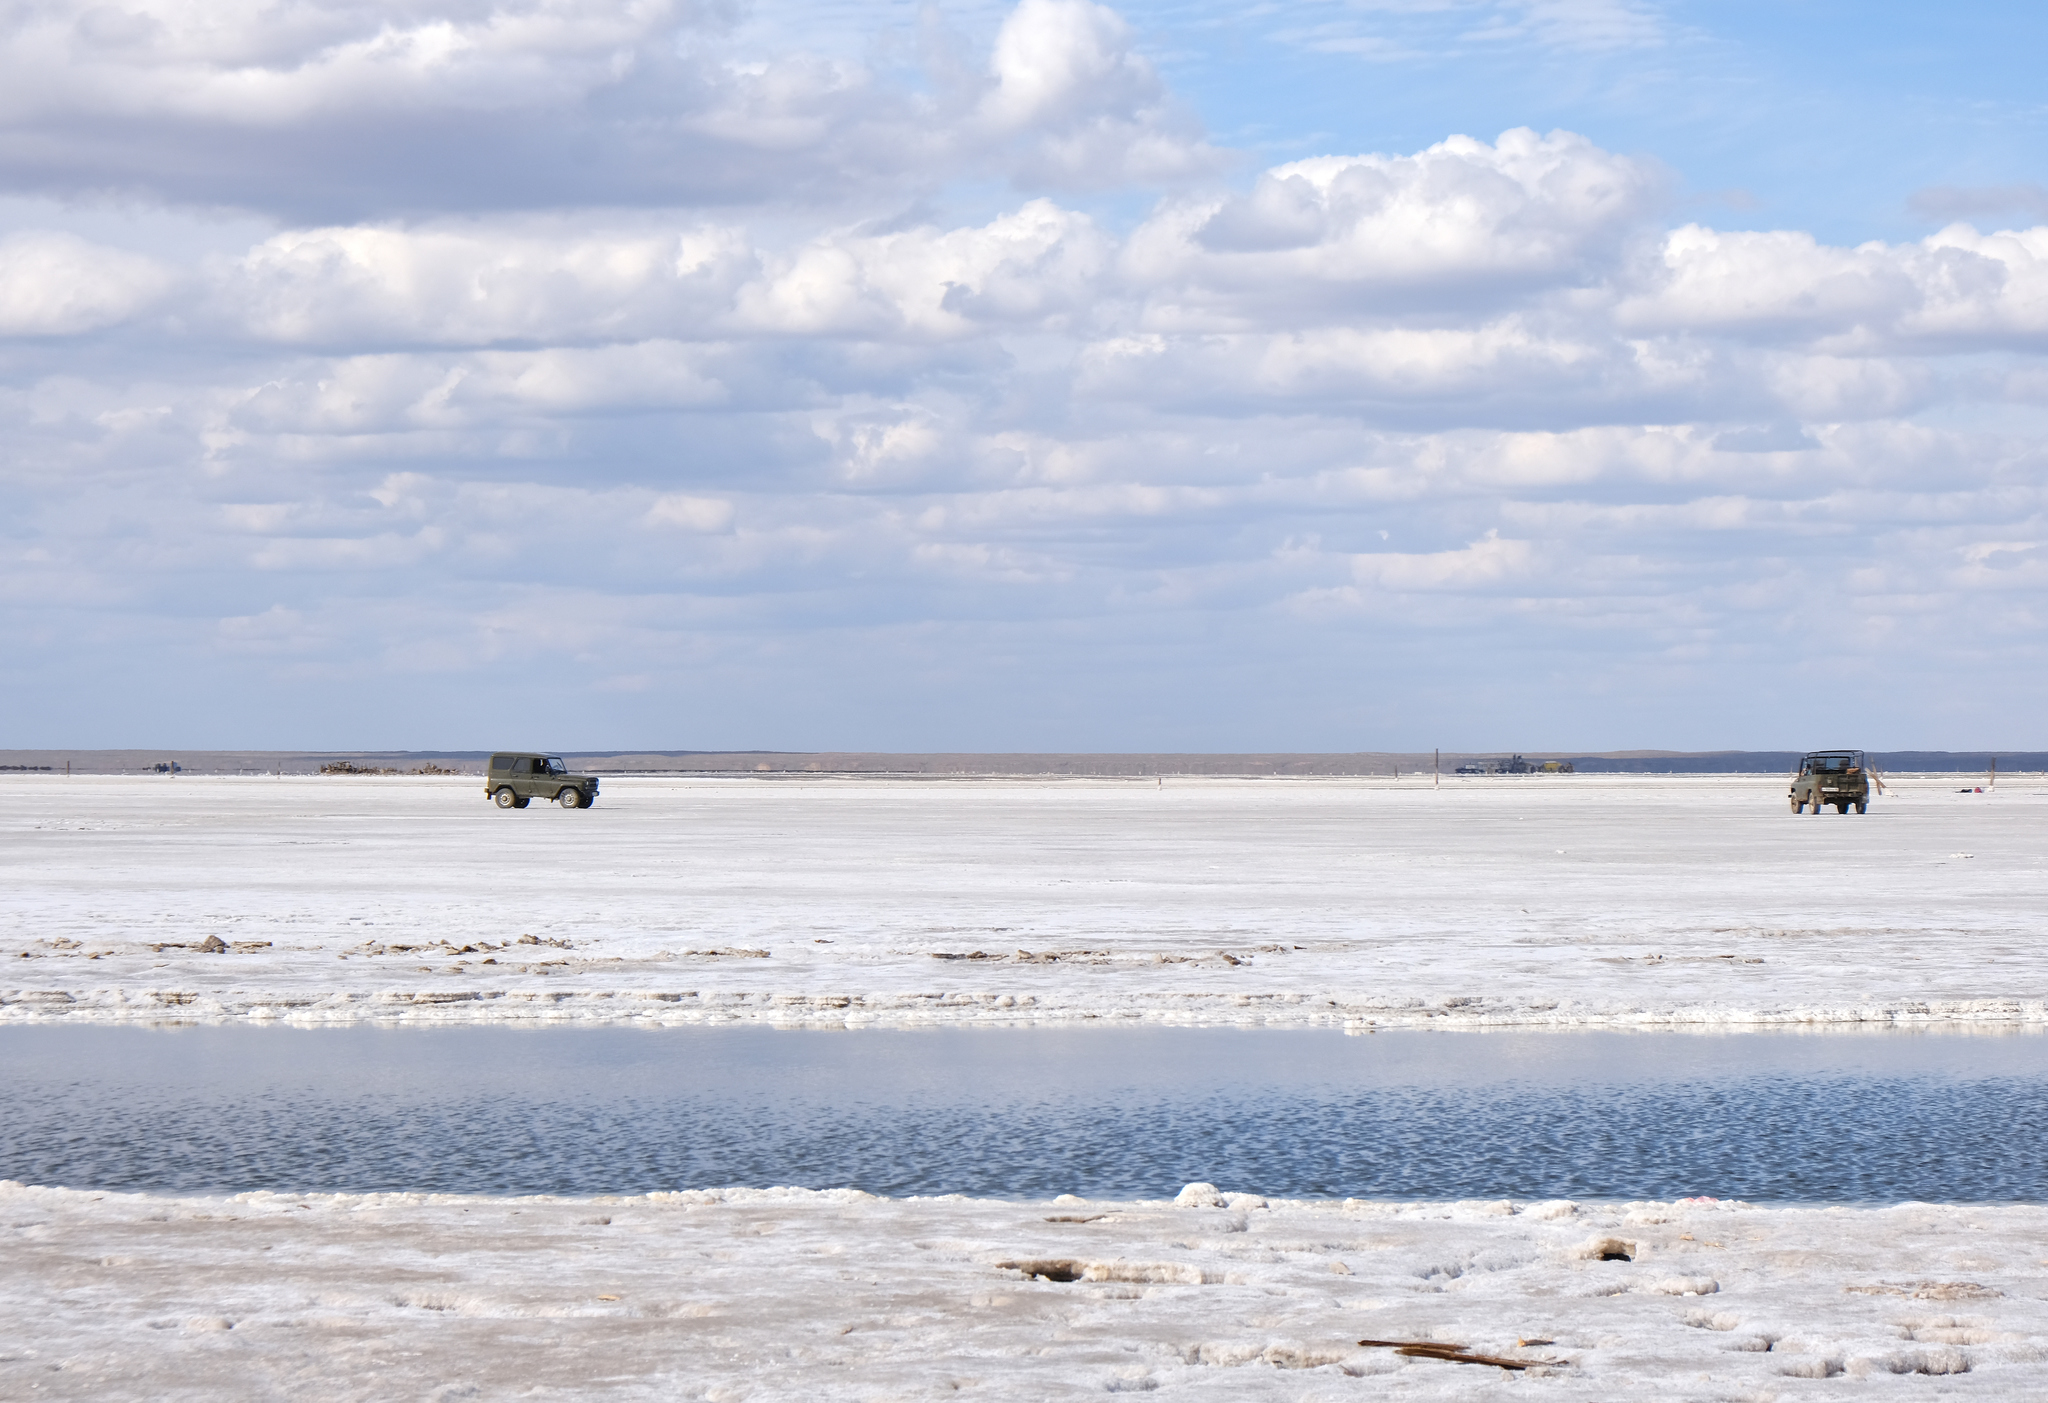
[(1816, 116)]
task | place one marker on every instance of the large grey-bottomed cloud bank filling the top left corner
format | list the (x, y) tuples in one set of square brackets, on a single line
[(347, 110)]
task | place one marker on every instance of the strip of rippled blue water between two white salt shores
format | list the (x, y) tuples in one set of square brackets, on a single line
[(1031, 1113)]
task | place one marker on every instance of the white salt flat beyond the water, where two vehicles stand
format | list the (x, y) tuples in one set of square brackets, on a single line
[(1541, 900)]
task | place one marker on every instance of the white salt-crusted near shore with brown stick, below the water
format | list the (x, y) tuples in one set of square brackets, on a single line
[(837, 1295)]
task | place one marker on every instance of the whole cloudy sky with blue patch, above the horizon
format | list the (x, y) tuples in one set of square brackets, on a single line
[(1185, 376)]
